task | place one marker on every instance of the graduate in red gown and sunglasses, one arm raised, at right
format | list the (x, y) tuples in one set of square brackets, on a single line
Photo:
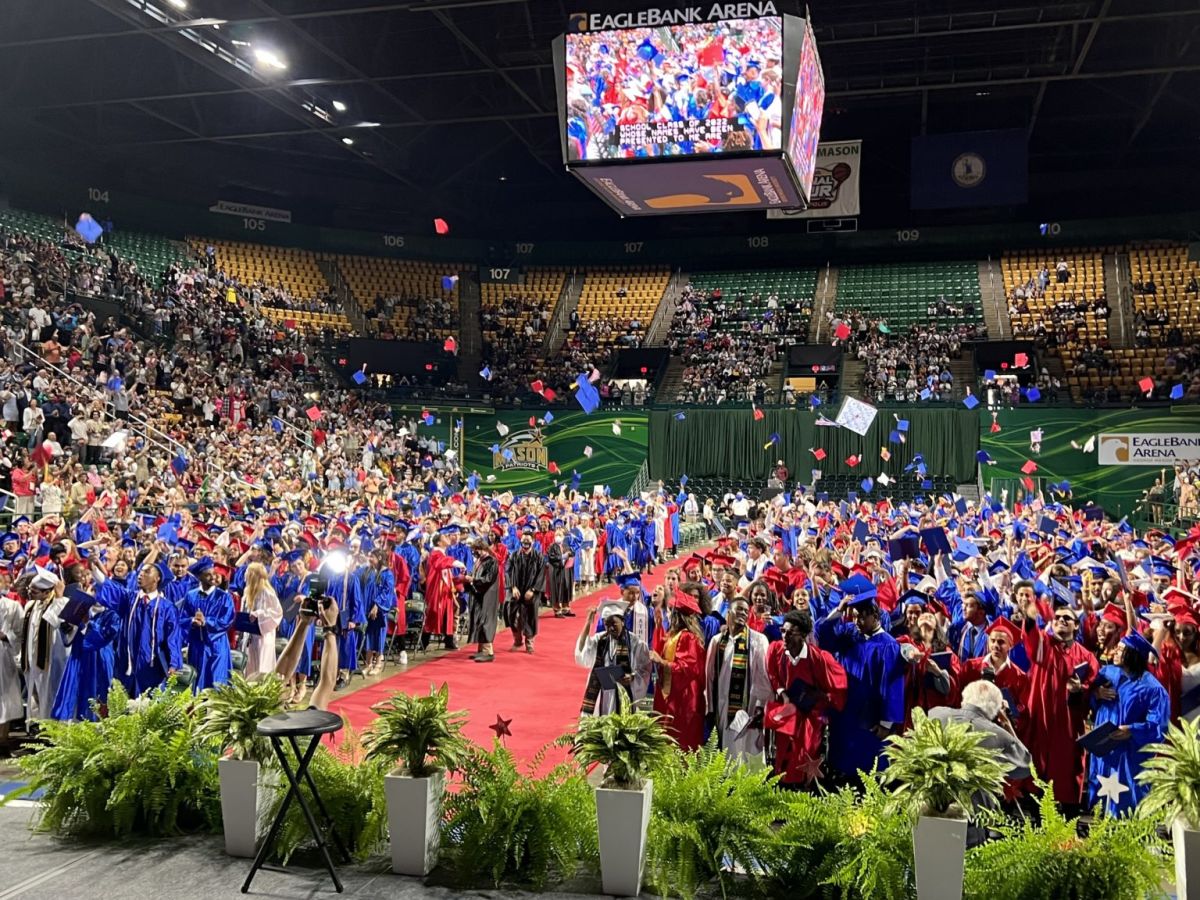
[(1058, 701)]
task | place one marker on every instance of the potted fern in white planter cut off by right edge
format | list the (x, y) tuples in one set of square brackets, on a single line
[(1173, 776)]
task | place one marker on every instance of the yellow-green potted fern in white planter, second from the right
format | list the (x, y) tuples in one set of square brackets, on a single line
[(941, 775)]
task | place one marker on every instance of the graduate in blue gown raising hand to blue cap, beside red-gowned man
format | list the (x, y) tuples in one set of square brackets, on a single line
[(875, 674)]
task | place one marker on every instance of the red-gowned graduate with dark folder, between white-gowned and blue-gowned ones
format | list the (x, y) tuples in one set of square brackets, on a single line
[(800, 671)]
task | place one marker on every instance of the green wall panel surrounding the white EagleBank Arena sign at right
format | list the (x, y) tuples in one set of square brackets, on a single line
[(1118, 489)]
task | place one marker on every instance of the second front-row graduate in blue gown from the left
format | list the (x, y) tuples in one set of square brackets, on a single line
[(148, 649)]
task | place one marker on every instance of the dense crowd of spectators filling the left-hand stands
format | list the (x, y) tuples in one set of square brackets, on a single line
[(98, 411)]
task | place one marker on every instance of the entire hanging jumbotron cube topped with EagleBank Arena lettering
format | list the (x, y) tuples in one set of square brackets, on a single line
[(689, 112)]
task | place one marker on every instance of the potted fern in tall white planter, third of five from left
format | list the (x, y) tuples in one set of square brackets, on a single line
[(629, 743)]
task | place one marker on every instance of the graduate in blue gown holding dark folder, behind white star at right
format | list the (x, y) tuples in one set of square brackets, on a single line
[(1132, 699)]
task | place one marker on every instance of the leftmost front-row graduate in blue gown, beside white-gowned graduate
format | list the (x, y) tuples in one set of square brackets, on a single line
[(91, 667)]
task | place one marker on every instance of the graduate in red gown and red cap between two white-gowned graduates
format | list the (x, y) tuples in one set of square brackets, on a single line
[(680, 692)]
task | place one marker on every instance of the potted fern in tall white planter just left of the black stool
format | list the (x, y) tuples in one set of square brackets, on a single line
[(231, 715)]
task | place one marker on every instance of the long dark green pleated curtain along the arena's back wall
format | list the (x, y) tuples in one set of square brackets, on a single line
[(730, 443)]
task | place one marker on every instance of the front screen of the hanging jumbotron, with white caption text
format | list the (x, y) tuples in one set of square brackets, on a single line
[(679, 91)]
